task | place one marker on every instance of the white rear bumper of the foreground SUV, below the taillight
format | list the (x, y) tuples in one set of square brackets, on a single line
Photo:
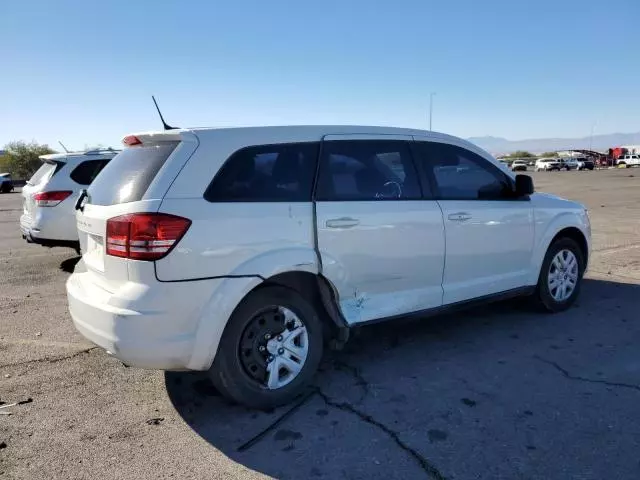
[(146, 327)]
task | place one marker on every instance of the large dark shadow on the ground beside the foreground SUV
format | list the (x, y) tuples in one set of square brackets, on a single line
[(479, 394)]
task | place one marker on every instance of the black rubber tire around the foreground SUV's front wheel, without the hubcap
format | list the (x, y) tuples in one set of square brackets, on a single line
[(542, 296)]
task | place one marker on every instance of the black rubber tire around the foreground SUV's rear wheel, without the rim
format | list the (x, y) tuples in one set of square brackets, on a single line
[(227, 372)]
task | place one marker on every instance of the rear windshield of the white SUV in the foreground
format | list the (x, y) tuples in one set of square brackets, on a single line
[(128, 175)]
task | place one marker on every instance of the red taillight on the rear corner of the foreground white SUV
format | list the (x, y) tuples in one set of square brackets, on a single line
[(144, 236)]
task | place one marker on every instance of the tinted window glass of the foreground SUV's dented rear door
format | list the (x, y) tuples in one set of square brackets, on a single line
[(367, 170)]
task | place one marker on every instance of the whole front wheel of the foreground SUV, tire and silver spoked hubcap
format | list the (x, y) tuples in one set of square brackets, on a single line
[(560, 276)]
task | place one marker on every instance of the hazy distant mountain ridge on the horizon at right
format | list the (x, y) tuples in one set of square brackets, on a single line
[(498, 146)]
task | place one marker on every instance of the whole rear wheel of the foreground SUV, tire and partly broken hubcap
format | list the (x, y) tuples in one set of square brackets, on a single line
[(270, 349)]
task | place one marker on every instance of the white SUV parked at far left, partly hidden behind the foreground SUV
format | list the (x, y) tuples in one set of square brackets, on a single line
[(49, 196)]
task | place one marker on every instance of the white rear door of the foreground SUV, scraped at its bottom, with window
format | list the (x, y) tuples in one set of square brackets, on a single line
[(381, 243)]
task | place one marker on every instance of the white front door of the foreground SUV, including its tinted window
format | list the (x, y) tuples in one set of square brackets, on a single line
[(489, 232)]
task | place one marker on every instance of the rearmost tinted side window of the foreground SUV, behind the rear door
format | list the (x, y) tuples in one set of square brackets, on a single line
[(266, 173)]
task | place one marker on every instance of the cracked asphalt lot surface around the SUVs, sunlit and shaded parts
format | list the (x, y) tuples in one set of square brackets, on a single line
[(498, 392)]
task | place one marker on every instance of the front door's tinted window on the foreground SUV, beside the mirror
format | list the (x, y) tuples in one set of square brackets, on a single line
[(459, 174)]
